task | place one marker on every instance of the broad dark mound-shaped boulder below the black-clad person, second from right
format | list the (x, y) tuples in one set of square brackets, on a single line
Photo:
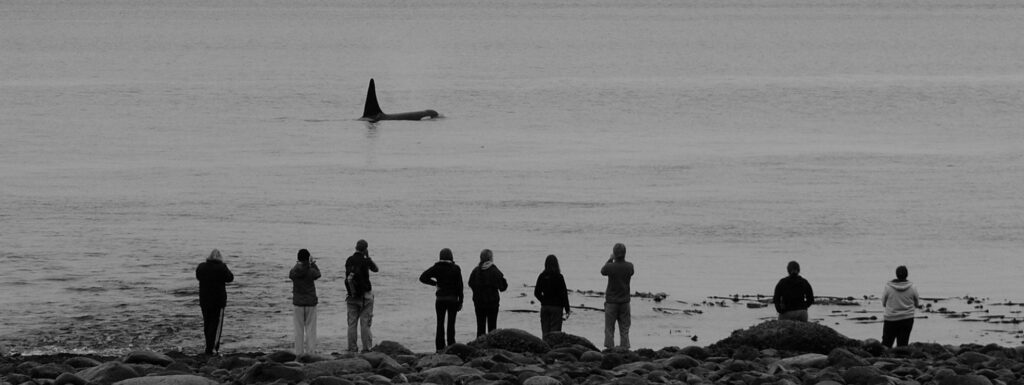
[(787, 335)]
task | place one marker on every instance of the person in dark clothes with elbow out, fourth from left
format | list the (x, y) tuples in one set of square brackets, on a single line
[(448, 278)]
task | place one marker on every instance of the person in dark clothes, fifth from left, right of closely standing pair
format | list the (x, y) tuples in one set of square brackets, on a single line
[(487, 281)]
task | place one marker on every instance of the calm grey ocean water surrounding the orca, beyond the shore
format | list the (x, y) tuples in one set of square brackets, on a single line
[(717, 140)]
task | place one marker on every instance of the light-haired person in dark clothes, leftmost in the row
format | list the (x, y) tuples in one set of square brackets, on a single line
[(212, 276)]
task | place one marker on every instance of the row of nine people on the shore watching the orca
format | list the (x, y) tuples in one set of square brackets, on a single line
[(793, 297)]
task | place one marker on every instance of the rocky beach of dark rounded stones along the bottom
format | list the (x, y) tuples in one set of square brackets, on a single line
[(773, 353)]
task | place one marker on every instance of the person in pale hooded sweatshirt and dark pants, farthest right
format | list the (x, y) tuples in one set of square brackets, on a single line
[(900, 300)]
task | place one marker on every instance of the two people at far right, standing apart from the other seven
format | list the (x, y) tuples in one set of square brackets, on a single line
[(794, 295)]
